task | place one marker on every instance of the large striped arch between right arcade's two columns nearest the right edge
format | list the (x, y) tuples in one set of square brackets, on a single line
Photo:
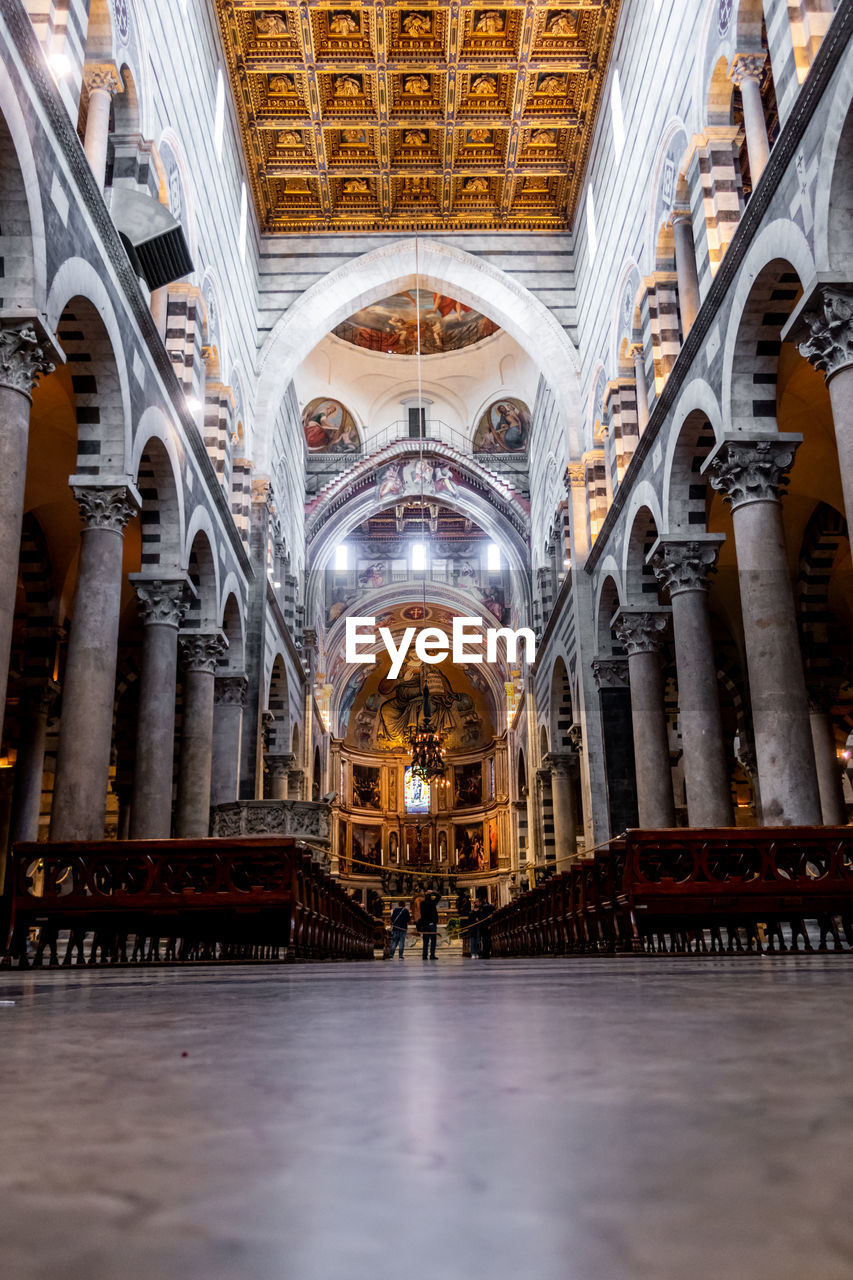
[(768, 290)]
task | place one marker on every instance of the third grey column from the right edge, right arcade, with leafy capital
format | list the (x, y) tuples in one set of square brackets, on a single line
[(683, 569)]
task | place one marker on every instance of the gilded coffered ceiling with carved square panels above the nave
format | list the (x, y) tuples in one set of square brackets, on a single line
[(400, 117)]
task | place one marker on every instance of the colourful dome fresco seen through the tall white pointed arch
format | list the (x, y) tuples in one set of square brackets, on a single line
[(393, 324)]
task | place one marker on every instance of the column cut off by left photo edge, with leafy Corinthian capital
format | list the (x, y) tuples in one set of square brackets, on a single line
[(24, 359)]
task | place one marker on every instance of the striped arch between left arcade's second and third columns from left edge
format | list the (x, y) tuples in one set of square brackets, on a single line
[(158, 478)]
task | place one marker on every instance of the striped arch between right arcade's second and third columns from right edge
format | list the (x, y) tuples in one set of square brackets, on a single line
[(685, 486)]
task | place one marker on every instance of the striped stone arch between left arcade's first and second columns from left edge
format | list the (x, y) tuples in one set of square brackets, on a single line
[(83, 314)]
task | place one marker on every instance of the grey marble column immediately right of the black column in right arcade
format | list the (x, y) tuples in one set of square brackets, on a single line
[(644, 633)]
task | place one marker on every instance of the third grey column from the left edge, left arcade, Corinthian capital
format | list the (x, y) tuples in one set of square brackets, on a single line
[(162, 606)]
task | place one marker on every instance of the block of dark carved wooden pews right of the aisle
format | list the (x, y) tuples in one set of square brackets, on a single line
[(683, 890)]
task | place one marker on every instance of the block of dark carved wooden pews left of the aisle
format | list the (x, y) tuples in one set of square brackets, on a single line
[(180, 902)]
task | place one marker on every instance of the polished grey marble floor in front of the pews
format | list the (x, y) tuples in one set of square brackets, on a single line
[(638, 1119)]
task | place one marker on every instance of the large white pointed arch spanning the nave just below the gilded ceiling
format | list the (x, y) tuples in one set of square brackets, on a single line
[(399, 267)]
